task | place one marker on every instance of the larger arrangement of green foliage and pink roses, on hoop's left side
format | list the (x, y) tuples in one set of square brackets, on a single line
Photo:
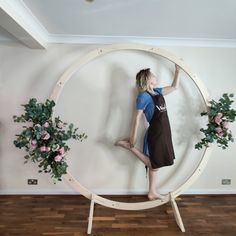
[(44, 139)]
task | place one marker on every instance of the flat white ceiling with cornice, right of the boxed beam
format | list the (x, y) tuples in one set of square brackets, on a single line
[(73, 20)]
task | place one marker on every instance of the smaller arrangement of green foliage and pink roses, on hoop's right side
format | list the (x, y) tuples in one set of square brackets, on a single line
[(220, 114)]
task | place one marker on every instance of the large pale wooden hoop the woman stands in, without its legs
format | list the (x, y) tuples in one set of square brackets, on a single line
[(202, 89)]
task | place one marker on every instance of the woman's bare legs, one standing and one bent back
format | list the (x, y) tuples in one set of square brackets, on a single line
[(152, 194)]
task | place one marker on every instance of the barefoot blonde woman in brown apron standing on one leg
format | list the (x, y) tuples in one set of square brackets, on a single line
[(157, 149)]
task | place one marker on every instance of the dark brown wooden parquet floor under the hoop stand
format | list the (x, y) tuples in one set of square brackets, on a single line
[(211, 215)]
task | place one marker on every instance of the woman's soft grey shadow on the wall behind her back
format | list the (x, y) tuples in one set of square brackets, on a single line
[(118, 118)]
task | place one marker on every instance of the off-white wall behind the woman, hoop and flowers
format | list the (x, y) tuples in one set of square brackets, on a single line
[(99, 99)]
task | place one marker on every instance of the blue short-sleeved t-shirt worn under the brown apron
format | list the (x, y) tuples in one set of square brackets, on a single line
[(144, 102)]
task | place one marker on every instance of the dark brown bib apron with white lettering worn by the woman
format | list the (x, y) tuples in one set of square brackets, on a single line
[(159, 135)]
